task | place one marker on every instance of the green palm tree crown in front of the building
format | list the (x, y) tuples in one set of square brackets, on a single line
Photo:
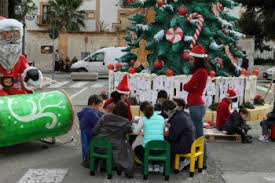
[(66, 16)]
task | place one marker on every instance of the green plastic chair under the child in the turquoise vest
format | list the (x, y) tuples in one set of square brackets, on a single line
[(164, 156)]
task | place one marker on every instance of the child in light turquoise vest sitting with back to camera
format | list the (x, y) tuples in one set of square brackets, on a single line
[(153, 129)]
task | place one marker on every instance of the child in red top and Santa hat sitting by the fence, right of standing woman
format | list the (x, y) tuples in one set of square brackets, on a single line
[(223, 110)]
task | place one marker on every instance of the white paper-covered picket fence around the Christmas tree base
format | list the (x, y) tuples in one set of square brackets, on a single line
[(146, 86)]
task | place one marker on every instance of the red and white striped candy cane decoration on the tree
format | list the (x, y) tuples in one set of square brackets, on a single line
[(199, 20)]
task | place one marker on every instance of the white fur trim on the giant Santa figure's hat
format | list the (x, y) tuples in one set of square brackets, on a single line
[(6, 24)]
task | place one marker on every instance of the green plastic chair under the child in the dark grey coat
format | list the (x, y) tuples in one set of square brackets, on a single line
[(102, 143)]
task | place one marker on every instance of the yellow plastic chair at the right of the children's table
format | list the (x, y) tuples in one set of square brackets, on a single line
[(197, 151)]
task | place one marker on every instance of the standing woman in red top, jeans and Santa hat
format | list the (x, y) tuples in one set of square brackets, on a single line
[(195, 87)]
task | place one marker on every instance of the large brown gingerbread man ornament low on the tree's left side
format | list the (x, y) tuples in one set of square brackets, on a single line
[(142, 54)]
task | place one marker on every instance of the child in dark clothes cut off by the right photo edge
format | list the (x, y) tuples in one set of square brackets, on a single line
[(266, 125)]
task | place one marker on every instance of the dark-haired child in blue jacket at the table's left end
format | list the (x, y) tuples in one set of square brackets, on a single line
[(88, 117)]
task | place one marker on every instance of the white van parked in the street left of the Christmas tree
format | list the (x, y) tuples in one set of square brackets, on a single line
[(98, 61)]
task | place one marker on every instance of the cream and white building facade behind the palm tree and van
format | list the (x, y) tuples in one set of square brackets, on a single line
[(105, 27)]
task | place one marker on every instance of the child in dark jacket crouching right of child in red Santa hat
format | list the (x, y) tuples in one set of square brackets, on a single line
[(236, 124)]
